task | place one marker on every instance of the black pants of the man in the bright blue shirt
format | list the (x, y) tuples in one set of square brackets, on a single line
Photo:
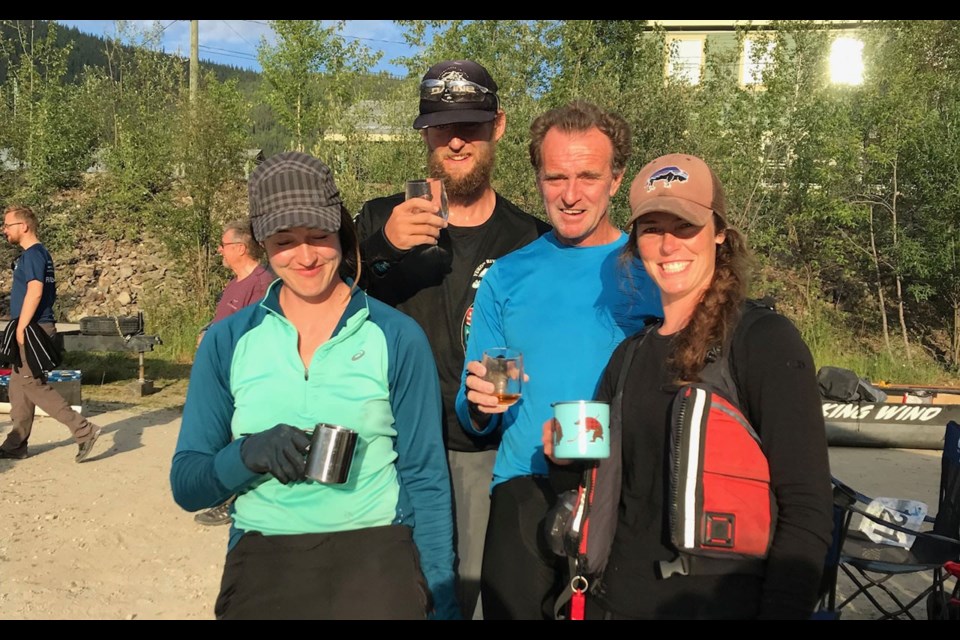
[(520, 578)]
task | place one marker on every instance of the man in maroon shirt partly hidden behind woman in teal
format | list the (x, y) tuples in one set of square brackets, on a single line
[(241, 254)]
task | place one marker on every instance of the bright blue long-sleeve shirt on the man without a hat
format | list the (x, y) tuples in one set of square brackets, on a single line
[(566, 308)]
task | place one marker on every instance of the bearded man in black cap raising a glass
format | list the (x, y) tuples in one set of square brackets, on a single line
[(430, 269)]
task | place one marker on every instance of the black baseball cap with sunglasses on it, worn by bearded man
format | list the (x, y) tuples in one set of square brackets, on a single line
[(443, 109)]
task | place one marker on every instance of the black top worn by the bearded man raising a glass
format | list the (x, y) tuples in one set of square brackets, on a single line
[(436, 286)]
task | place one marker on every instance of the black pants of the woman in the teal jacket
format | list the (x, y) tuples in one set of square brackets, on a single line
[(368, 574)]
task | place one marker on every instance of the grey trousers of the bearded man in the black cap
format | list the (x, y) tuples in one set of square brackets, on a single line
[(471, 473)]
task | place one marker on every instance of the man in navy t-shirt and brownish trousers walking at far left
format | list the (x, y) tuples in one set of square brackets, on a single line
[(32, 296)]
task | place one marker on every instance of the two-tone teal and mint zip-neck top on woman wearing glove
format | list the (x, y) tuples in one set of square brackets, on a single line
[(375, 375)]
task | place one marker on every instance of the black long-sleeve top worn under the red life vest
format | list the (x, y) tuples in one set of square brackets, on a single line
[(775, 379)]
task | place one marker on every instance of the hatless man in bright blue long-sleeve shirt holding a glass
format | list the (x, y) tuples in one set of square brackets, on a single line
[(562, 302)]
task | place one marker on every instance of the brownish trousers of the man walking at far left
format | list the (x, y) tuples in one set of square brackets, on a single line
[(26, 393)]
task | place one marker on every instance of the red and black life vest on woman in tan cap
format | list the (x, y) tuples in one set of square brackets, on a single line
[(714, 530)]
